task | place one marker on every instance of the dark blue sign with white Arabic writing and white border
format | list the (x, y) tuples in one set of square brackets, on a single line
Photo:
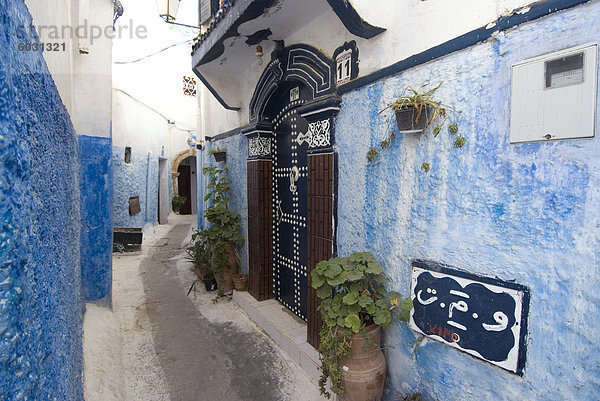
[(481, 316)]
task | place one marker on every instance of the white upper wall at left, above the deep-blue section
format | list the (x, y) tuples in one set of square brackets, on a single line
[(83, 80)]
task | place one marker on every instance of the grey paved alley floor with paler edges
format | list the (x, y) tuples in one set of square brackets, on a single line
[(176, 347)]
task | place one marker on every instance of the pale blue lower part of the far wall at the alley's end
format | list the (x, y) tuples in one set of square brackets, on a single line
[(138, 178)]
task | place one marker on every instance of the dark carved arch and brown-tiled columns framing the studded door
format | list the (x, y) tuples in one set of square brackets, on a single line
[(305, 64)]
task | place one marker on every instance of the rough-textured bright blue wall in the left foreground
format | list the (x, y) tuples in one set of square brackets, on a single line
[(41, 302)]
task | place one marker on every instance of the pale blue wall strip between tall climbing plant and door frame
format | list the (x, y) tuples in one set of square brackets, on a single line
[(237, 154)]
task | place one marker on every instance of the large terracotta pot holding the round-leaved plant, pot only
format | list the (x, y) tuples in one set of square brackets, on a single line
[(363, 375)]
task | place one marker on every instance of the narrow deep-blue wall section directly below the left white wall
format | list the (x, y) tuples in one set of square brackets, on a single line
[(95, 179)]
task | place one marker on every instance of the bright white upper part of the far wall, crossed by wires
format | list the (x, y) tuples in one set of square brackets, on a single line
[(152, 113)]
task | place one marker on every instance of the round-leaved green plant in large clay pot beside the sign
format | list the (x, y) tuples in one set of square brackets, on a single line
[(354, 306)]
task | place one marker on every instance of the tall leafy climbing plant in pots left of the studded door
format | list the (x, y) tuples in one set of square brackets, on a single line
[(224, 230)]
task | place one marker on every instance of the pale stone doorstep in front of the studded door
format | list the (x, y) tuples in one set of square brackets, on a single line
[(285, 328)]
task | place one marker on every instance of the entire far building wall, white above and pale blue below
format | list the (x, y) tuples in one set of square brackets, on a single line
[(152, 115)]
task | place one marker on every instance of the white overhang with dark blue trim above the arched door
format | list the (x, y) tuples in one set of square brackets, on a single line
[(223, 54)]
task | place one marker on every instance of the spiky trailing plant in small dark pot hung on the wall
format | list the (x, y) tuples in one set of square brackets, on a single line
[(416, 110)]
